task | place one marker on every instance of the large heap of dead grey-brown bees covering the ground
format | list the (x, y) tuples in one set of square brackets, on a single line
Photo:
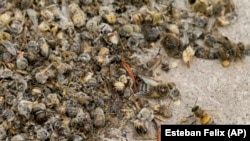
[(70, 69)]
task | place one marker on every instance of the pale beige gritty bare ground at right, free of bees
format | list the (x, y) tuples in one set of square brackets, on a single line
[(223, 92)]
